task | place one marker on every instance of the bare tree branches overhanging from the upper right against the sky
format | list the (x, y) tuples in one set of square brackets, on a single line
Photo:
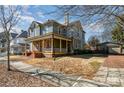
[(96, 14)]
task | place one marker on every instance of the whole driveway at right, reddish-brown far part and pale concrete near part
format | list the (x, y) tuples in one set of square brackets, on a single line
[(112, 71)]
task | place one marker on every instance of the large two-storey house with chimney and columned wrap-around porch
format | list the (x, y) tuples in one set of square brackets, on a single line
[(51, 38)]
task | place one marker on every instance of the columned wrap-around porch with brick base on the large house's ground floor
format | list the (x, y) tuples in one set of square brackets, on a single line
[(50, 47)]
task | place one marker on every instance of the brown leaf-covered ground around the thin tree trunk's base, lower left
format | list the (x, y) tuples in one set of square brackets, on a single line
[(18, 79)]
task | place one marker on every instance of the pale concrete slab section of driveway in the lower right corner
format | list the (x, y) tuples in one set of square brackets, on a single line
[(111, 76)]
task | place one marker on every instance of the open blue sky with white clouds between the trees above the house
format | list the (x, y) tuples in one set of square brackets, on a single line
[(36, 13)]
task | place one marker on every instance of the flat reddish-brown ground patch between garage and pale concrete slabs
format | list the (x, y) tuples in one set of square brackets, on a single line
[(114, 61)]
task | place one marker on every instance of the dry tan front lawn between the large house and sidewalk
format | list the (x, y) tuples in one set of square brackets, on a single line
[(68, 65)]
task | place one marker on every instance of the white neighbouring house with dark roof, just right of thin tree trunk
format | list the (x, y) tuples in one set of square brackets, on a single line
[(19, 45)]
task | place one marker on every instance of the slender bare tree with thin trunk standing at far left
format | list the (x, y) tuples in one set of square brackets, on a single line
[(9, 17)]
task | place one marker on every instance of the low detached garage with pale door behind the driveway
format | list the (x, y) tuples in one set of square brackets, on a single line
[(110, 48)]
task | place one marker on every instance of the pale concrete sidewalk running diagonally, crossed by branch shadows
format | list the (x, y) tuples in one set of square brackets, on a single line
[(55, 78)]
